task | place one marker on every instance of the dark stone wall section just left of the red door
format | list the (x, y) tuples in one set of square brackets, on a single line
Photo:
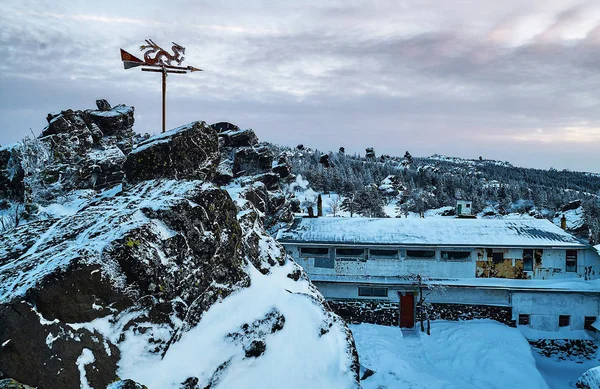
[(363, 311)]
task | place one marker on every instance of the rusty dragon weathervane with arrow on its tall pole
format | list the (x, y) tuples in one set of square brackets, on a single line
[(157, 59)]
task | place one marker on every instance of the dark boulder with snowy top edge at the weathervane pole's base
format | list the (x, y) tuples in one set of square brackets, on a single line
[(188, 152)]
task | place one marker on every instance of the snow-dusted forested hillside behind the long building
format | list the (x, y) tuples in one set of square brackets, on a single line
[(419, 184)]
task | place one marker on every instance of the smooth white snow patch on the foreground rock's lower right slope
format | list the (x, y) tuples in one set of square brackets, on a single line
[(295, 357)]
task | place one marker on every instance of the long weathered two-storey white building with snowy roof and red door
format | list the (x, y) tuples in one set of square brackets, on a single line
[(521, 272)]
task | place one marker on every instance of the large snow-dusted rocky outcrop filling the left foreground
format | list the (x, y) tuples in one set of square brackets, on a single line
[(132, 278)]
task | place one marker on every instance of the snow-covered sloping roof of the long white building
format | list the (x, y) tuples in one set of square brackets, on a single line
[(429, 232)]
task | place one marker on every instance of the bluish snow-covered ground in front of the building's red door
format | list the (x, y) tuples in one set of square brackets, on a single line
[(481, 354)]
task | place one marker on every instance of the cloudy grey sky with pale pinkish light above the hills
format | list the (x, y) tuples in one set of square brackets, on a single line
[(504, 79)]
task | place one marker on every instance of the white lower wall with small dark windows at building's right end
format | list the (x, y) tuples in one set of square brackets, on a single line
[(545, 307)]
